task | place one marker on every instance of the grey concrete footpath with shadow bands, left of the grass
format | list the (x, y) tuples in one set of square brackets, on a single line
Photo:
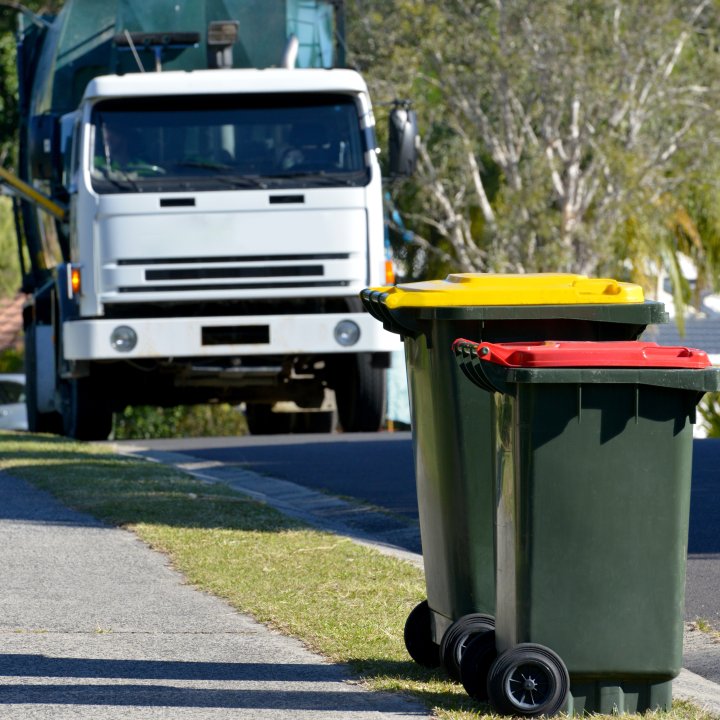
[(97, 626)]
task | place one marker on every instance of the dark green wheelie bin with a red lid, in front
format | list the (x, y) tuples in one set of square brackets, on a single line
[(594, 453)]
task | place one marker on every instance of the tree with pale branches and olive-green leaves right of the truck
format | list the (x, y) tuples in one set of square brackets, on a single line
[(557, 135)]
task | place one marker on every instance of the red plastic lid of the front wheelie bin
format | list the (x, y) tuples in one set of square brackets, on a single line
[(627, 354)]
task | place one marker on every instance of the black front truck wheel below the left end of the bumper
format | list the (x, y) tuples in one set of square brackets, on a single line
[(86, 415)]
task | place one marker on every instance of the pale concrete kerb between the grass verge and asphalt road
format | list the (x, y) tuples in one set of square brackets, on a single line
[(384, 533)]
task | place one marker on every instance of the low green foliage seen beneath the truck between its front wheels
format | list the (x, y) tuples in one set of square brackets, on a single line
[(144, 423)]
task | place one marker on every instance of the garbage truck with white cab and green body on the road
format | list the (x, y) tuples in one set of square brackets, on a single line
[(198, 204)]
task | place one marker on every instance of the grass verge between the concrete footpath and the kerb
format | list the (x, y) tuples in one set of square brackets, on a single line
[(345, 601)]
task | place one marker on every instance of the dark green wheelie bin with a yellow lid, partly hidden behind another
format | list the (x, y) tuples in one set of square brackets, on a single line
[(452, 426)]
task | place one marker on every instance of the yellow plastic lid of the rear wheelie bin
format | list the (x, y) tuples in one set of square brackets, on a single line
[(473, 289)]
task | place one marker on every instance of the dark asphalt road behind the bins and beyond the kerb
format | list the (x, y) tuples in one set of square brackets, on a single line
[(378, 469)]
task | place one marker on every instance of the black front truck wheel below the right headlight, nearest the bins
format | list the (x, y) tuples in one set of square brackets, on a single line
[(360, 395)]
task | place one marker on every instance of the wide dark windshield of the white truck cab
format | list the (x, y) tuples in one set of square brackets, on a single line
[(227, 142)]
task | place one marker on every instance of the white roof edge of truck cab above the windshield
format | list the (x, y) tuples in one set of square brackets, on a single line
[(203, 82)]
